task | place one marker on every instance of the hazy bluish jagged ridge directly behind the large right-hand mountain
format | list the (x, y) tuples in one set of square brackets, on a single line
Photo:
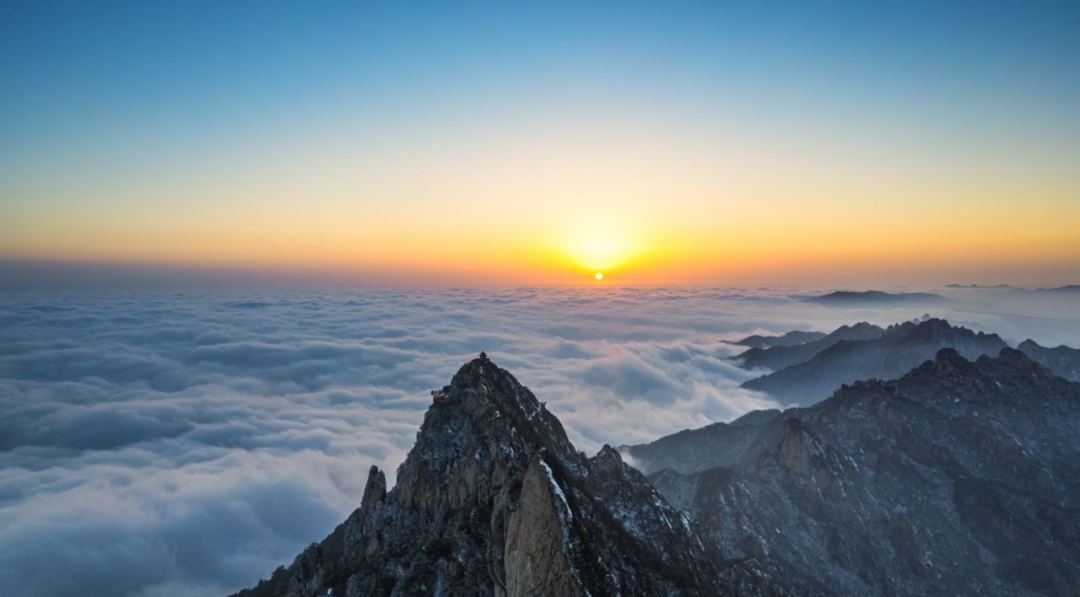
[(899, 350)]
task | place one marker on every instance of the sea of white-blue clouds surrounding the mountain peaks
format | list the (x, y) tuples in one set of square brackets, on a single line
[(188, 444)]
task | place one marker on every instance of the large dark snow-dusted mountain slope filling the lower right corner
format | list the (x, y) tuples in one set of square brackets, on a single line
[(960, 479)]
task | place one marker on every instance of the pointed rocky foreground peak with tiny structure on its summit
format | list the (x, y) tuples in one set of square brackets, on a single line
[(494, 500)]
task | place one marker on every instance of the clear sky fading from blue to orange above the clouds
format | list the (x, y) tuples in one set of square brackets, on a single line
[(496, 143)]
